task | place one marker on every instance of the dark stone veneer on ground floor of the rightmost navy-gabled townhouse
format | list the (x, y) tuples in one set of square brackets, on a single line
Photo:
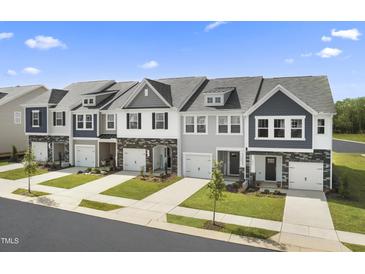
[(317, 156)]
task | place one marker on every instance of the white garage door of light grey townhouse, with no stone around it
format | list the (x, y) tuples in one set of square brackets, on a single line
[(197, 165)]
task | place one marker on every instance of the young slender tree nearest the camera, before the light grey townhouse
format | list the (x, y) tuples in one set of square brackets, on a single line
[(216, 186)]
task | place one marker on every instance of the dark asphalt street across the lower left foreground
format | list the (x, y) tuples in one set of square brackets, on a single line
[(29, 227)]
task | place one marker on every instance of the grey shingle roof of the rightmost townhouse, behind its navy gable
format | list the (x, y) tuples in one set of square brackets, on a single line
[(314, 91)]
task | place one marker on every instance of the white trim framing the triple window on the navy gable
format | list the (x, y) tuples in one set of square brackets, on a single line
[(287, 122)]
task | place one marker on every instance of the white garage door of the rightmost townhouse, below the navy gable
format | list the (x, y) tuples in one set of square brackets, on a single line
[(303, 175)]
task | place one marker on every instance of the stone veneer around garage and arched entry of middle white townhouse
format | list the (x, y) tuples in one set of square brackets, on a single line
[(149, 144)]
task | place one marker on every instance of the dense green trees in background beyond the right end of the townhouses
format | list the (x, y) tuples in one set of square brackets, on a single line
[(350, 117)]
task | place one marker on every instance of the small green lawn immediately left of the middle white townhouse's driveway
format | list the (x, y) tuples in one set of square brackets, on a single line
[(71, 181)]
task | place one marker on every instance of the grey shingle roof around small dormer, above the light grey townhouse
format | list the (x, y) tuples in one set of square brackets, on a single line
[(242, 96)]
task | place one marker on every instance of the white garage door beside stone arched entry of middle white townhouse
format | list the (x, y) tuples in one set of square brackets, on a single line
[(134, 159)]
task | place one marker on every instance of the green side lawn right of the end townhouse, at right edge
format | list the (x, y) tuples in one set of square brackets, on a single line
[(349, 214)]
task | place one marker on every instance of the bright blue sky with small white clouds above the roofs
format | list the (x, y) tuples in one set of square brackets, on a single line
[(59, 53)]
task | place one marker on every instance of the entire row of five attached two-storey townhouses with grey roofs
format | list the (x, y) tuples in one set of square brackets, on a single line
[(280, 129)]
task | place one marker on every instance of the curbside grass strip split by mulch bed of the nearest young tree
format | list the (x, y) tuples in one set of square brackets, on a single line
[(227, 228)]
